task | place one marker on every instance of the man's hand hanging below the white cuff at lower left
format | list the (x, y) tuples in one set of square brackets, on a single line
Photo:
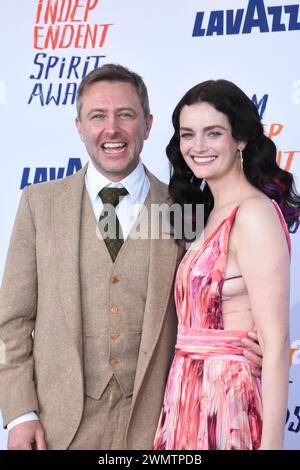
[(25, 435)]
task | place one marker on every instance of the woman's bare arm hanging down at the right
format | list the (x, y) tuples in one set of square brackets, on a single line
[(263, 258)]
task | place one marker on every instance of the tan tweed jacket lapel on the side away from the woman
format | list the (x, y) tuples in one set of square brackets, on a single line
[(67, 201)]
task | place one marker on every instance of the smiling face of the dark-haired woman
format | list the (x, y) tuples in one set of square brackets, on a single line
[(206, 141)]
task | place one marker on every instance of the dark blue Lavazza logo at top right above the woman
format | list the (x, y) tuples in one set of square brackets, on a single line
[(257, 16)]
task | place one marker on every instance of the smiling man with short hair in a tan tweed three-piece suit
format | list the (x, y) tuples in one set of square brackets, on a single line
[(88, 339)]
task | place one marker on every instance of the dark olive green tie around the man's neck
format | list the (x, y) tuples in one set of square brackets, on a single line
[(109, 224)]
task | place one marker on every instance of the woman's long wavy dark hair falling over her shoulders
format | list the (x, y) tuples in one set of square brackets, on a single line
[(259, 156)]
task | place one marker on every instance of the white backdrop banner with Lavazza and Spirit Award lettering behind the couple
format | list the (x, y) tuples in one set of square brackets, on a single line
[(47, 46)]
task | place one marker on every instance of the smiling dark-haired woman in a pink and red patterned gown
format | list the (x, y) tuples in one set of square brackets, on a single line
[(233, 279)]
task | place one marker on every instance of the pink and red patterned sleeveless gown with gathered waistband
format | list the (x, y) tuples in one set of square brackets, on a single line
[(212, 401)]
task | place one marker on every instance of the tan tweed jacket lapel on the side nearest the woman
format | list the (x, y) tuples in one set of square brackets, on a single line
[(162, 266)]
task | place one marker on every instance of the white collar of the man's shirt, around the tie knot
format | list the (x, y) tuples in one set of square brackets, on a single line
[(134, 182)]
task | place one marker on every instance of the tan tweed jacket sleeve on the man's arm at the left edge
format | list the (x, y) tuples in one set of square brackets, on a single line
[(18, 302)]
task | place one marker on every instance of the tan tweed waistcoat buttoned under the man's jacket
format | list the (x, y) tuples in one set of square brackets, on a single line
[(113, 303)]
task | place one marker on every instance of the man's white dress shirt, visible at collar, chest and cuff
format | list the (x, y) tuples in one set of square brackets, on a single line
[(137, 185)]
